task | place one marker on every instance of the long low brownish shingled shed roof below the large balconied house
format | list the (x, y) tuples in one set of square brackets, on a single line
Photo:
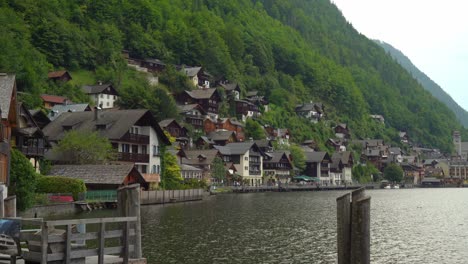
[(95, 174)]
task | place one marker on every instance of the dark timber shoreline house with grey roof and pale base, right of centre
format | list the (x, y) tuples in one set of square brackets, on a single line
[(318, 166)]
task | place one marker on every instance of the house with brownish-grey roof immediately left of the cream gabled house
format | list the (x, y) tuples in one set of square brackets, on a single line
[(201, 159)]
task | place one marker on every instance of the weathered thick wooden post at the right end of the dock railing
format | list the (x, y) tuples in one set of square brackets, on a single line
[(129, 205)]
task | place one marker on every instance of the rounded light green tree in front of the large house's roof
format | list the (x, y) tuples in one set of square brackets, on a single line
[(85, 148)]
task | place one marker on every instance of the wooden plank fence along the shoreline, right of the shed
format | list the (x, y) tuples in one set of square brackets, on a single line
[(170, 196)]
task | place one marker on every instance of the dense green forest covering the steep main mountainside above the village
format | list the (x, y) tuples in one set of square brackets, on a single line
[(291, 51)]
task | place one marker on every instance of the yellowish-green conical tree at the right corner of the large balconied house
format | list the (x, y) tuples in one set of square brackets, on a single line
[(171, 179)]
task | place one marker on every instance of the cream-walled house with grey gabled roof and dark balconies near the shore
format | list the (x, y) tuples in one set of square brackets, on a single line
[(247, 158)]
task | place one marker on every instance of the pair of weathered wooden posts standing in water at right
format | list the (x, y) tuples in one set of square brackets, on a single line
[(353, 228)]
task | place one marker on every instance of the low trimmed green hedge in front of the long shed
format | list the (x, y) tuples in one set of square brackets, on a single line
[(60, 184)]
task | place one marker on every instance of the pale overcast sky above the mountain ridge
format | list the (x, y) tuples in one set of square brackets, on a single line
[(433, 34)]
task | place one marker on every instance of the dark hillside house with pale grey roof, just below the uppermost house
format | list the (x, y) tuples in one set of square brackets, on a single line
[(208, 99)]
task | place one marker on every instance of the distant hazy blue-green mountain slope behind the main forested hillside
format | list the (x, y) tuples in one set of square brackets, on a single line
[(426, 82)]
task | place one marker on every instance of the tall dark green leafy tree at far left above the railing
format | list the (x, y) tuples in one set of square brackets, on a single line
[(23, 180)]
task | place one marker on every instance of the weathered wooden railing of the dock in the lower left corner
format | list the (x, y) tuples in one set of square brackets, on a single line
[(62, 244)]
